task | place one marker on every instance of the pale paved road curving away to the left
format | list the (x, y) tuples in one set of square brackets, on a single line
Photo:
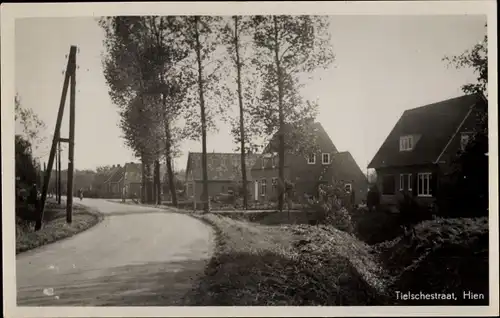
[(136, 256)]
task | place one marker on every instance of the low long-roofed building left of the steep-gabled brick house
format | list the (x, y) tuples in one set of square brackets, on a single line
[(224, 174)]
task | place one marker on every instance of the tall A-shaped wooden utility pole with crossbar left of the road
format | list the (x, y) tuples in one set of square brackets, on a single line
[(69, 74)]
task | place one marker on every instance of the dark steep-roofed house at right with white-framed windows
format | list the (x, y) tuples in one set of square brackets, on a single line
[(420, 148)]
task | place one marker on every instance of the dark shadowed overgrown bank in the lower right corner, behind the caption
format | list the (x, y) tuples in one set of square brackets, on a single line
[(444, 256)]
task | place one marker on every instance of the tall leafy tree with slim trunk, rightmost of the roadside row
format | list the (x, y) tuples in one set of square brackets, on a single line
[(286, 47)]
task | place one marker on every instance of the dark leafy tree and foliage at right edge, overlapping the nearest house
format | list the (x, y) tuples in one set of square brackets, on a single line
[(470, 175)]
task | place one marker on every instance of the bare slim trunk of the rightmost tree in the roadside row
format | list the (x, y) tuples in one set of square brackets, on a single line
[(281, 149)]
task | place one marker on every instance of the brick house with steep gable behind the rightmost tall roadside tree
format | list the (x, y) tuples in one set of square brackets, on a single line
[(322, 166)]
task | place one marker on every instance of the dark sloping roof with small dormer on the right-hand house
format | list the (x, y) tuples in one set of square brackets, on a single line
[(432, 126)]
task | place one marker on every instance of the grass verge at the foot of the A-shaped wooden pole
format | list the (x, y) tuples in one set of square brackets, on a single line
[(55, 227)]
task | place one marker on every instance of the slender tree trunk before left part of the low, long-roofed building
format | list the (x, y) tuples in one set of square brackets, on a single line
[(203, 119)]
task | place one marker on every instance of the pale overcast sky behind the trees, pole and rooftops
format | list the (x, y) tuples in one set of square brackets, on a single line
[(384, 65)]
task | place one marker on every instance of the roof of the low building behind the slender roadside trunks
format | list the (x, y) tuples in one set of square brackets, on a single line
[(220, 166)]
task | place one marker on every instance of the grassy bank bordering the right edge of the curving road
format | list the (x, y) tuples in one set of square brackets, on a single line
[(288, 265)]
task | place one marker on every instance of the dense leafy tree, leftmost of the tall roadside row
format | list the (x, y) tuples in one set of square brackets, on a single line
[(129, 75)]
